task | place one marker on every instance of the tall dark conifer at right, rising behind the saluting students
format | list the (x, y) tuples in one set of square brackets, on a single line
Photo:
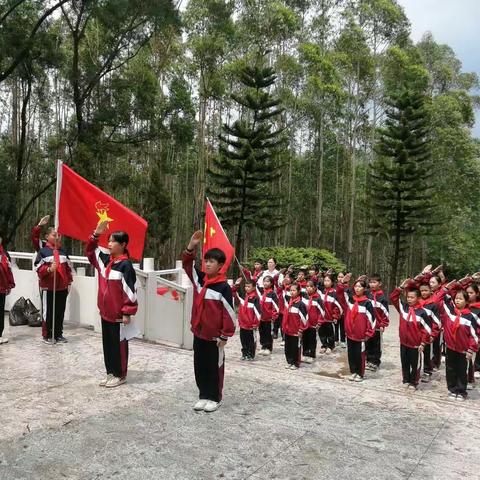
[(401, 199)]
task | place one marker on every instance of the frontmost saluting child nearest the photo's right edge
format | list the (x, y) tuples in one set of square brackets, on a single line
[(461, 339)]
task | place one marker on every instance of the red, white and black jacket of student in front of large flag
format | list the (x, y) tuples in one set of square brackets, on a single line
[(116, 283)]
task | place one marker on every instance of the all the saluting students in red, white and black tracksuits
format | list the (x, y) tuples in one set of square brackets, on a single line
[(305, 308)]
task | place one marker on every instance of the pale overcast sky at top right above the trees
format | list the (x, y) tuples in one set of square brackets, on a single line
[(454, 22)]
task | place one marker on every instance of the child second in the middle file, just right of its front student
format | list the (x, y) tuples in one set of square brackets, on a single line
[(315, 312)]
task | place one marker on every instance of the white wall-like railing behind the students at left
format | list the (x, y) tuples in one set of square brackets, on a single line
[(163, 317)]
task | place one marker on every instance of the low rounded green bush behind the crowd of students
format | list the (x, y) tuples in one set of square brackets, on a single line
[(298, 257)]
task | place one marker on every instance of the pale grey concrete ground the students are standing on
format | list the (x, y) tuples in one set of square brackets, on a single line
[(55, 422)]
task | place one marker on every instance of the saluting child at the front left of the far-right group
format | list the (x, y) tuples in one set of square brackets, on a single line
[(415, 332)]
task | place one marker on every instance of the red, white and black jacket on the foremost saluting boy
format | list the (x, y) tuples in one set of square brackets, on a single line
[(217, 317)]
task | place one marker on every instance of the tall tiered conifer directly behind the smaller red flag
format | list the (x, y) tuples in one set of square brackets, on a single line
[(249, 158)]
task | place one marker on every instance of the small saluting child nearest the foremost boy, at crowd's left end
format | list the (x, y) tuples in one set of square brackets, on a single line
[(249, 314)]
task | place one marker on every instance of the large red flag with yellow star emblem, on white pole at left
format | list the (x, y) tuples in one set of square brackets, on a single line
[(81, 206)]
